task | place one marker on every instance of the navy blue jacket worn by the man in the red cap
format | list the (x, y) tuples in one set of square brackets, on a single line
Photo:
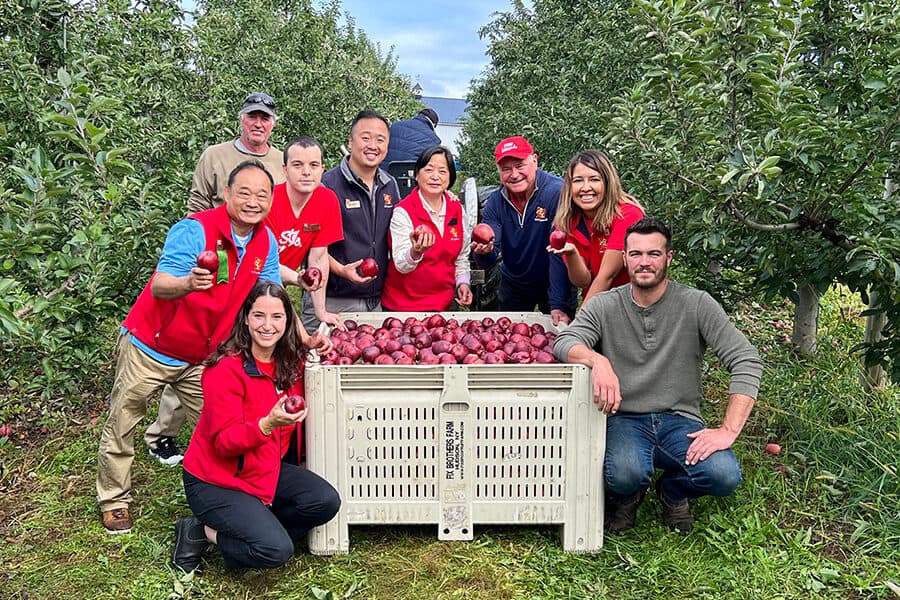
[(522, 241)]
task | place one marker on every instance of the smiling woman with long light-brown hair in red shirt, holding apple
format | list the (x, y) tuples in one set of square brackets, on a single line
[(594, 213)]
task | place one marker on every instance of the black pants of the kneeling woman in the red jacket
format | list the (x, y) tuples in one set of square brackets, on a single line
[(251, 534)]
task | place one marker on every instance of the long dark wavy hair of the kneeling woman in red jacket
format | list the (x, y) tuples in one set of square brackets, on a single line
[(288, 354)]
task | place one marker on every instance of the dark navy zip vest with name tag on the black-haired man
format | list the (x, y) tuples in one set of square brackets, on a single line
[(367, 219)]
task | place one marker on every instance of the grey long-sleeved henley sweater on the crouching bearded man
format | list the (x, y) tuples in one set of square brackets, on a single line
[(657, 352)]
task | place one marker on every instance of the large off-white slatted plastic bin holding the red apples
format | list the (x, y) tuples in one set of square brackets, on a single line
[(457, 445)]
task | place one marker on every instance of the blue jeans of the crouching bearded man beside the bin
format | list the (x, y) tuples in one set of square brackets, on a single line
[(637, 444)]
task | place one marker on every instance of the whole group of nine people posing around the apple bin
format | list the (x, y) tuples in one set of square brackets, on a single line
[(228, 340)]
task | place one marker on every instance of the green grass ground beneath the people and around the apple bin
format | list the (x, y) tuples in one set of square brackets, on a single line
[(828, 528)]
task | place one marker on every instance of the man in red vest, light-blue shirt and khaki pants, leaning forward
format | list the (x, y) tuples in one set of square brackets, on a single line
[(180, 317)]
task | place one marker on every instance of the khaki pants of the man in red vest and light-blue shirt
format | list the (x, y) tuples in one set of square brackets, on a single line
[(138, 378)]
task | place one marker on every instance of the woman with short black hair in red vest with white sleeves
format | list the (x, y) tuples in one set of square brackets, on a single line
[(429, 268)]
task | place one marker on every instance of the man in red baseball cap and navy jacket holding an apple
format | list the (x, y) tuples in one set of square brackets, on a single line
[(521, 213)]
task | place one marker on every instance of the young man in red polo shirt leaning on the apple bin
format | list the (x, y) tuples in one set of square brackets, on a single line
[(305, 219)]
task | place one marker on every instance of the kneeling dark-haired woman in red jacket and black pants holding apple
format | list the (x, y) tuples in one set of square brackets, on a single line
[(245, 500)]
